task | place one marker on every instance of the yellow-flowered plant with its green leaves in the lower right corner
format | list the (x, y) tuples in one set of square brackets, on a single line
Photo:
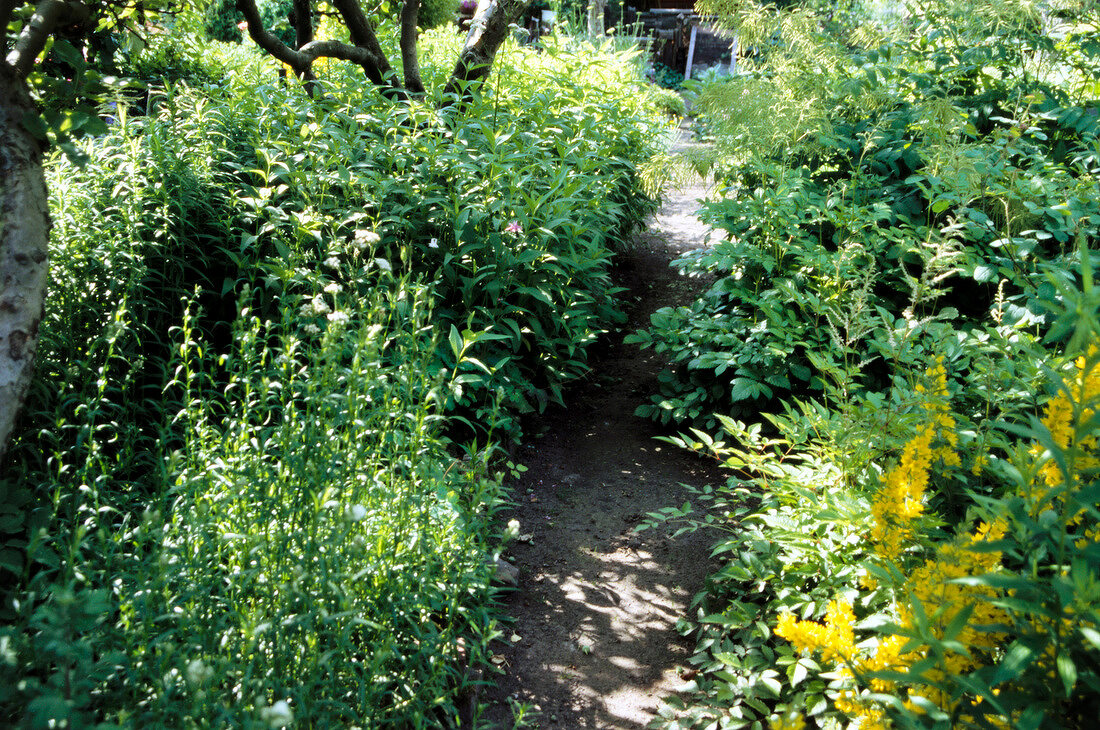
[(962, 618)]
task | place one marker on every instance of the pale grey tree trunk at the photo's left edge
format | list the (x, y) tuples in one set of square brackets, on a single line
[(25, 231)]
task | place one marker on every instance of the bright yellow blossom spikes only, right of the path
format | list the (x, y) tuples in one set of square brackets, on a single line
[(931, 585)]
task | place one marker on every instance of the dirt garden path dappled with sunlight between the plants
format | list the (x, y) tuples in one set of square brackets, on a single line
[(595, 641)]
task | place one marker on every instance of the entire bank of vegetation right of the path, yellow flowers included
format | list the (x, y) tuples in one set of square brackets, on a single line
[(905, 283)]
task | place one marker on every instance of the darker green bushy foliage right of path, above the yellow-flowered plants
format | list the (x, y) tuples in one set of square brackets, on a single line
[(862, 191)]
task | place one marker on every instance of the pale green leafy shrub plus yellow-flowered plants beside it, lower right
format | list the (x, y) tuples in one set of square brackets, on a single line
[(896, 611)]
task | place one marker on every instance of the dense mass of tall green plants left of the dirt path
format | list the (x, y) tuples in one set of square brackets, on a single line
[(255, 481)]
